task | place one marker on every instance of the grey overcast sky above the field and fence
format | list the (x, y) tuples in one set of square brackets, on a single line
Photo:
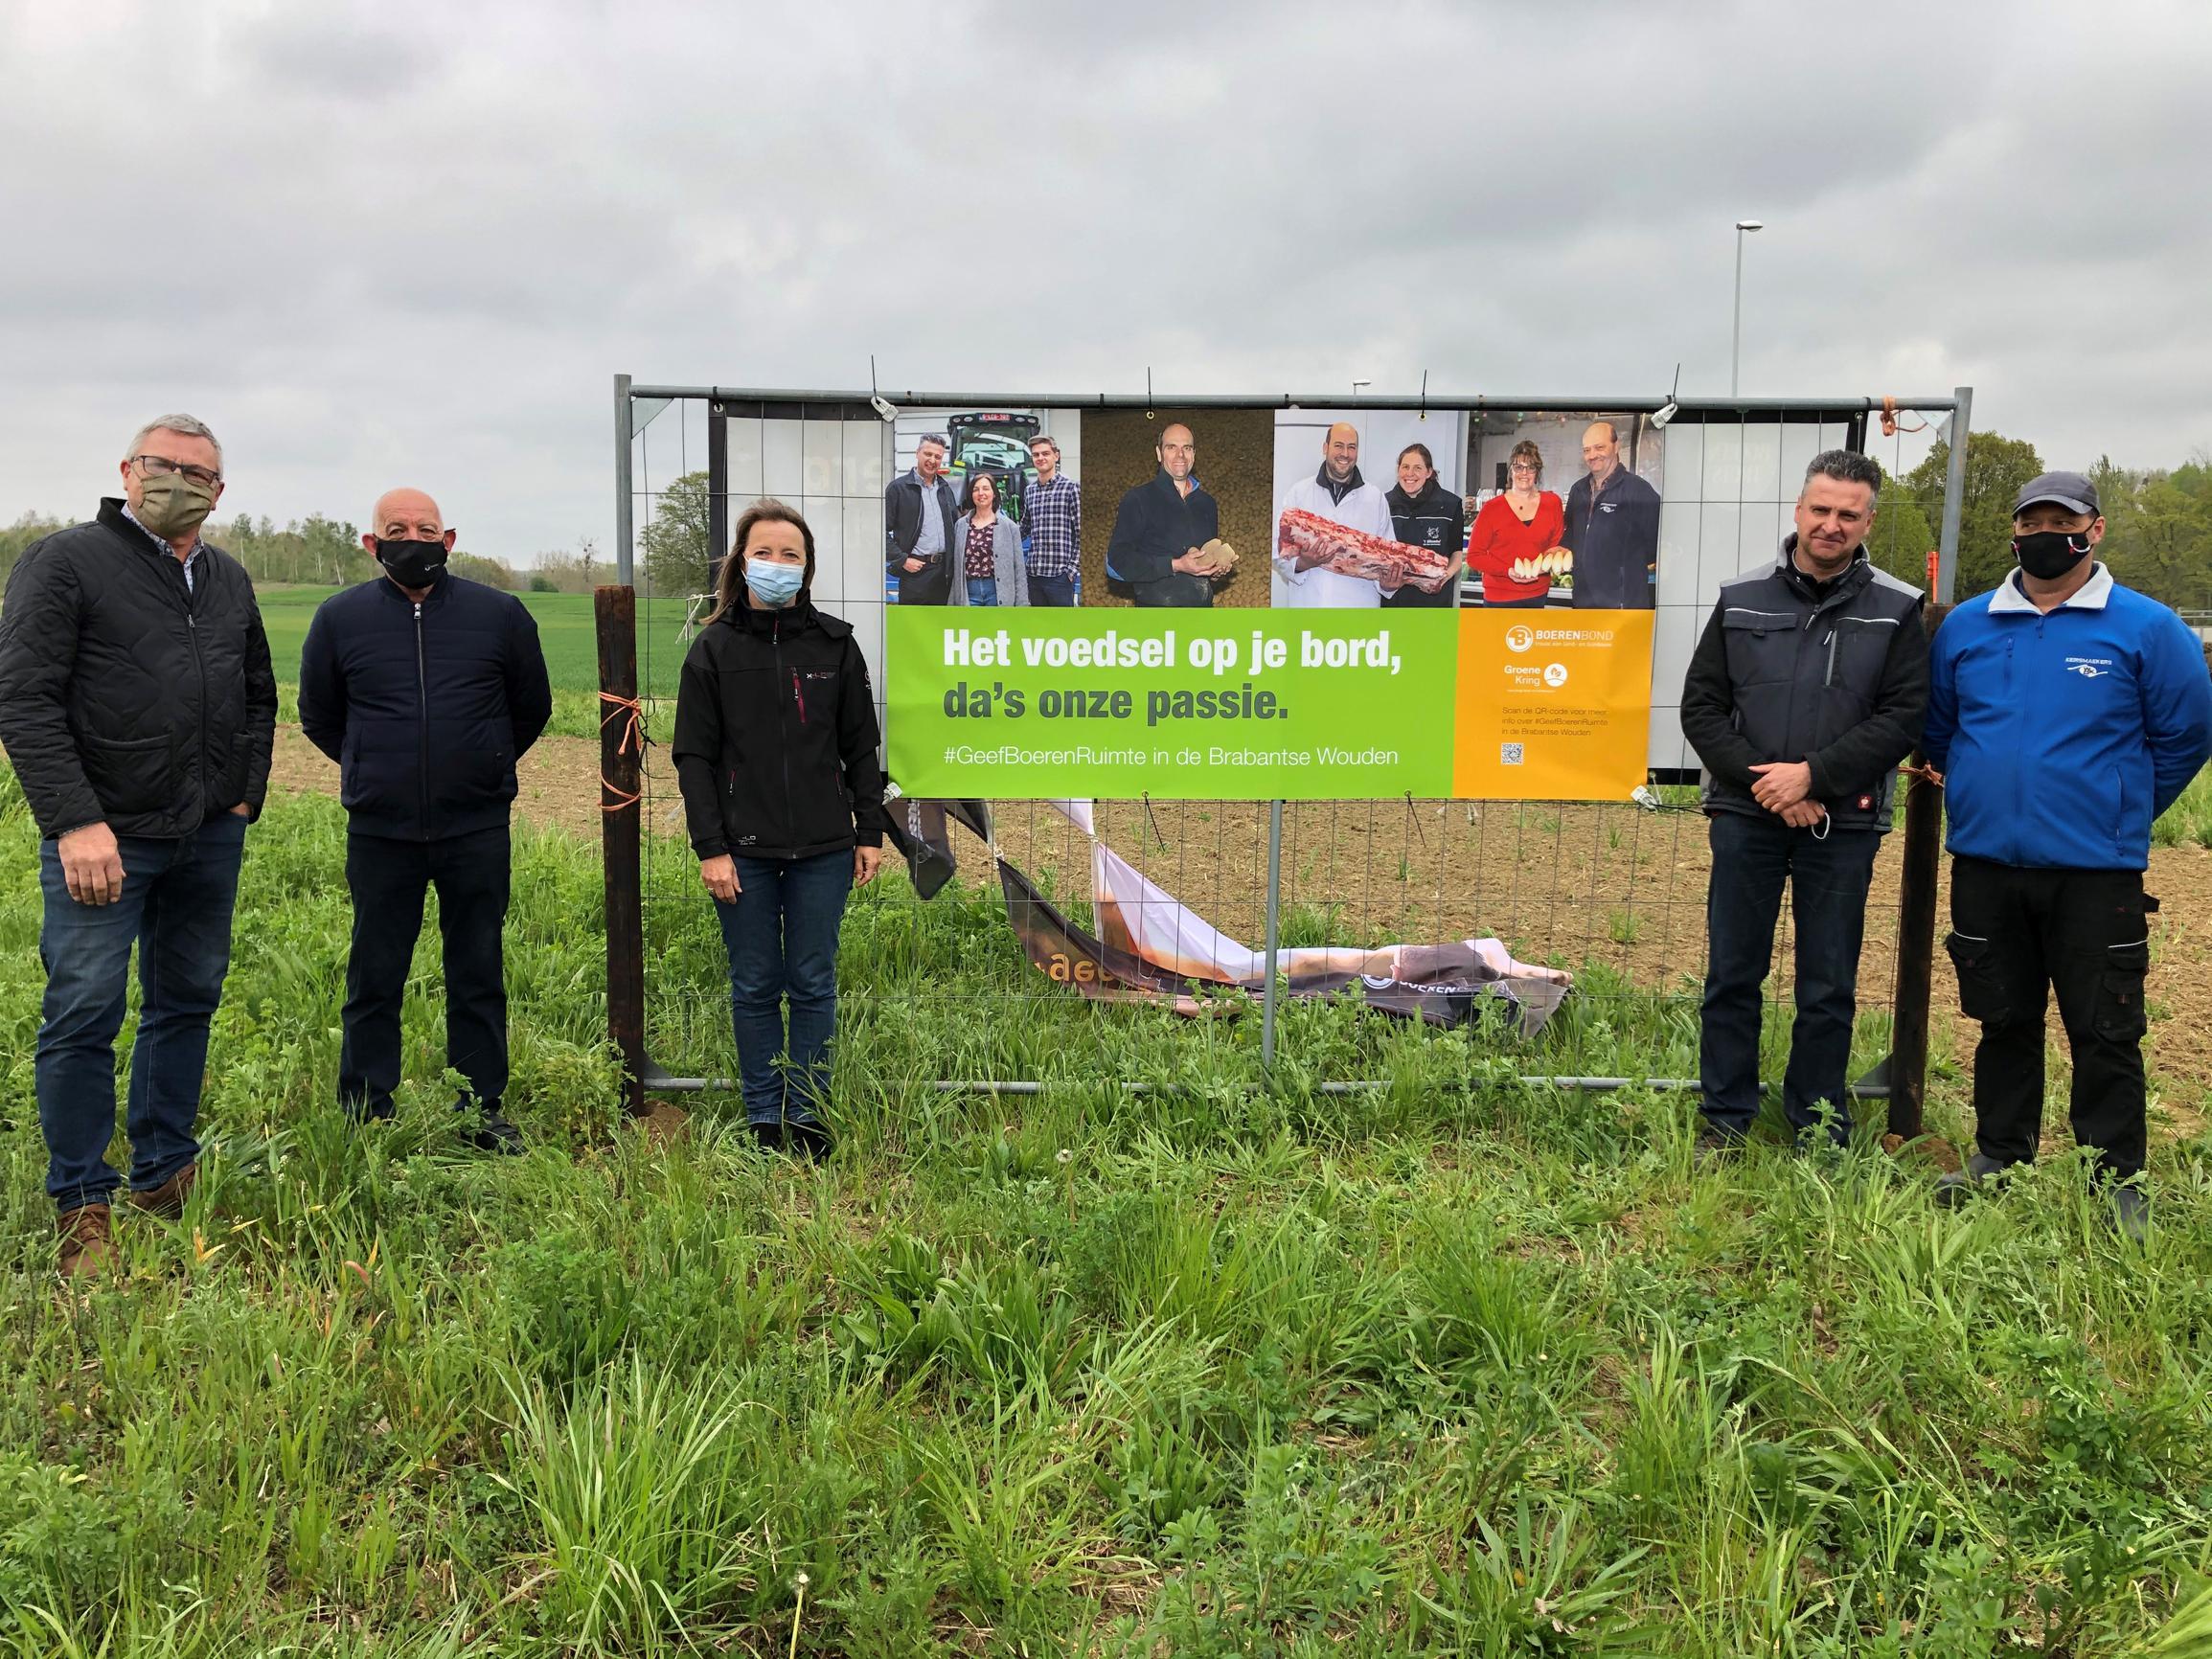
[(415, 242)]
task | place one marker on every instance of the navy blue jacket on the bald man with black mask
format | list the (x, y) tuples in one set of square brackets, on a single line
[(424, 707)]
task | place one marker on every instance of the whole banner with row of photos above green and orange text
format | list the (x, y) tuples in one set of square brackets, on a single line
[(1306, 605)]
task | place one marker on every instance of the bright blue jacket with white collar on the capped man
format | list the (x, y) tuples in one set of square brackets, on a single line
[(2063, 735)]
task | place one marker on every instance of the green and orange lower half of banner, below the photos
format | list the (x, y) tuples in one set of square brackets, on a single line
[(1023, 705)]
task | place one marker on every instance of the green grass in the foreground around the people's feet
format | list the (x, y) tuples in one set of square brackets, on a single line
[(1452, 1368)]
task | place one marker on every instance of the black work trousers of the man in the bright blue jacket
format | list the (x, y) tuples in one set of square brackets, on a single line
[(2018, 935)]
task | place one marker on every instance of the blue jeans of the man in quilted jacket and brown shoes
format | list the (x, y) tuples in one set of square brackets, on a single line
[(176, 908)]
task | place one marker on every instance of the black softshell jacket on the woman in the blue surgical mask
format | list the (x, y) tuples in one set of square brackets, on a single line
[(778, 738)]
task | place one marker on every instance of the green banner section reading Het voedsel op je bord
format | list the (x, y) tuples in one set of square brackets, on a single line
[(1176, 705)]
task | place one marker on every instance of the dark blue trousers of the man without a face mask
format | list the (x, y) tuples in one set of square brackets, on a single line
[(1828, 901)]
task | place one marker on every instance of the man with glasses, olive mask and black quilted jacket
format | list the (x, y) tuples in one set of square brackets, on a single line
[(138, 711)]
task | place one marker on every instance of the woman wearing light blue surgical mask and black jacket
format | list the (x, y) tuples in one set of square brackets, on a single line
[(775, 753)]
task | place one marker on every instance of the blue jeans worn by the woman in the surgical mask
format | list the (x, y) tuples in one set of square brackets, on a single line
[(782, 939)]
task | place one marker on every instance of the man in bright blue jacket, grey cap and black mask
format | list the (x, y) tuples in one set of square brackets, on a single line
[(2067, 713)]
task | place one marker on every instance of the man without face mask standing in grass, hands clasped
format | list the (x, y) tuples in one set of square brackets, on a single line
[(1806, 691)]
